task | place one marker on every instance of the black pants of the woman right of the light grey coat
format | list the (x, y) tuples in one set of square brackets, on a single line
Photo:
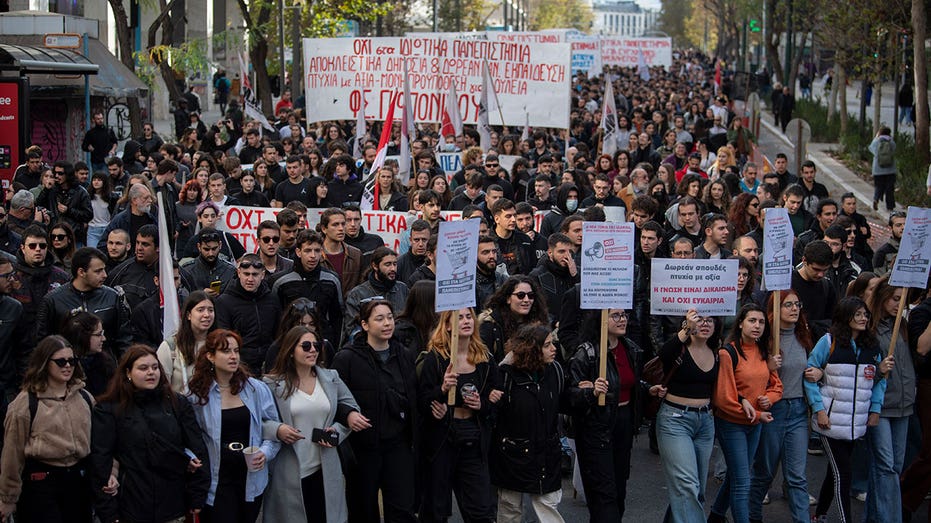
[(390, 469)]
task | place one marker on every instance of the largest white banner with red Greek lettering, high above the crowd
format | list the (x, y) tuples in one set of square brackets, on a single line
[(347, 74)]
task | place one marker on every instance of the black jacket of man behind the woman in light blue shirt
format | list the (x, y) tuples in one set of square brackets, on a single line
[(254, 315)]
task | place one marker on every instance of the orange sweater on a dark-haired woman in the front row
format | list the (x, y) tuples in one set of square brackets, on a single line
[(751, 380)]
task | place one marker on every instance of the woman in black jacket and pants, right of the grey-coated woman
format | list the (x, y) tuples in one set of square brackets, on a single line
[(381, 376)]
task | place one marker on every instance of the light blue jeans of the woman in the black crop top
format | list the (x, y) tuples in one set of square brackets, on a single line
[(685, 440)]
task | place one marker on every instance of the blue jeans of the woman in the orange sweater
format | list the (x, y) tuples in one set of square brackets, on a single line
[(738, 443)]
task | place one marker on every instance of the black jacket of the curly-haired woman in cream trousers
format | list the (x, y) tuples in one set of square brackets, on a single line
[(525, 451)]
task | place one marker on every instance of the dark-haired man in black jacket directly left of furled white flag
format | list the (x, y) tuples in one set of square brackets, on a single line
[(136, 275)]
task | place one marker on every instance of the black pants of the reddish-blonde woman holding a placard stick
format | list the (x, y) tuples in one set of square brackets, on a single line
[(459, 466)]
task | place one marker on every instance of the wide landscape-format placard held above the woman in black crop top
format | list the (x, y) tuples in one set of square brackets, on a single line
[(708, 286)]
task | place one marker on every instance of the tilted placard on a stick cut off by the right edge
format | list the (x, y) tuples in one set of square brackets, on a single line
[(914, 259)]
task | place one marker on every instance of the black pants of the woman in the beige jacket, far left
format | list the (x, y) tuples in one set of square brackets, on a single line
[(54, 494)]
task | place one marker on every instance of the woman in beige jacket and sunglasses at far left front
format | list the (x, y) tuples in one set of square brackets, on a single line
[(47, 436)]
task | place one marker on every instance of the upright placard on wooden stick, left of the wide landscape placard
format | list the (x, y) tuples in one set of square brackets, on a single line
[(607, 265)]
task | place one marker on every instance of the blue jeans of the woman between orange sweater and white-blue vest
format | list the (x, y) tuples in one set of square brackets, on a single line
[(785, 439)]
